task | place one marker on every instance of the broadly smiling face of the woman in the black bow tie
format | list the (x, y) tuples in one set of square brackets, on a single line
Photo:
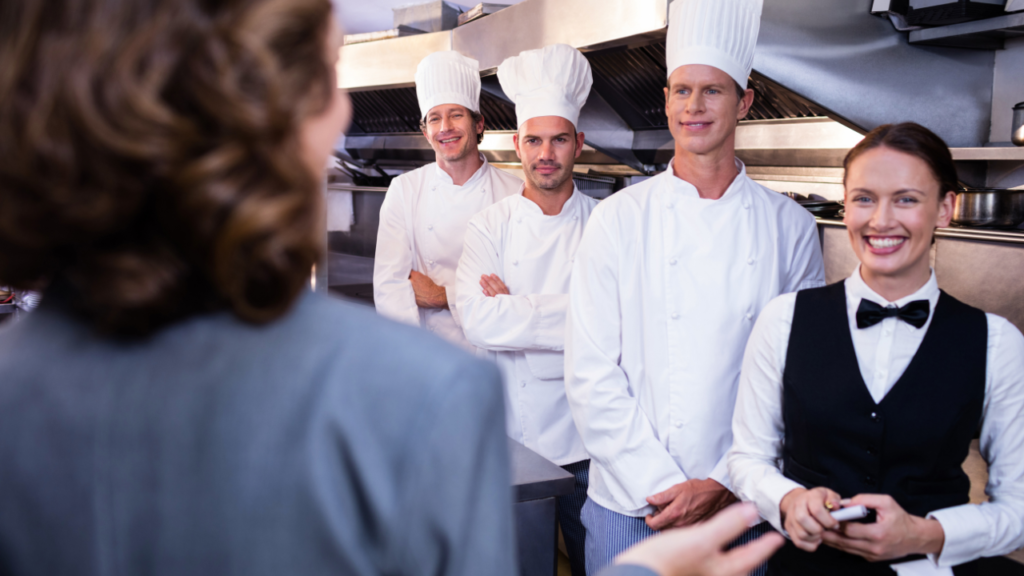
[(893, 207)]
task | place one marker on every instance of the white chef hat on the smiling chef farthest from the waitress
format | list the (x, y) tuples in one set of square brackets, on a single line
[(448, 77)]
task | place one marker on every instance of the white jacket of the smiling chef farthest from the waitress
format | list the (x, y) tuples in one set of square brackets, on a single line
[(422, 224)]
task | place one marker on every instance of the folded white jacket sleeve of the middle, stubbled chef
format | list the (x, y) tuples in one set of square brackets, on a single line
[(505, 322)]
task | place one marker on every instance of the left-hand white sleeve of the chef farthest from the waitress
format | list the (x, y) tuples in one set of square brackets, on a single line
[(394, 294)]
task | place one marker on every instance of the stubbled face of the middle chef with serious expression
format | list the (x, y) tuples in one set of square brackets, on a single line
[(548, 147)]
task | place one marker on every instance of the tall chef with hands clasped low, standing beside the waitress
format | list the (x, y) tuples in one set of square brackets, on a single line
[(668, 282)]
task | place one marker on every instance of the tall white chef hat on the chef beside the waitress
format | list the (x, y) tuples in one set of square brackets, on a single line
[(718, 33)]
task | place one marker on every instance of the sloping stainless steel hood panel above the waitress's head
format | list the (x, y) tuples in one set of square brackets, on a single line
[(836, 54)]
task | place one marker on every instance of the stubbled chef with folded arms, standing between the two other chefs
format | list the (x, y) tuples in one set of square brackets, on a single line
[(514, 279)]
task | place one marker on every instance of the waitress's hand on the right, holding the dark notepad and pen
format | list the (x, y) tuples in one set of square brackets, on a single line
[(894, 534)]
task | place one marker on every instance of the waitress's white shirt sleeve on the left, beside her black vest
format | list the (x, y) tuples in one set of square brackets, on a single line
[(758, 430)]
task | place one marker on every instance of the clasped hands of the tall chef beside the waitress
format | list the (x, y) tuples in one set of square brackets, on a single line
[(688, 503)]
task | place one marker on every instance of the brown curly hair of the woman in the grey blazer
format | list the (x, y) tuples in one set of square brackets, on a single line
[(150, 156)]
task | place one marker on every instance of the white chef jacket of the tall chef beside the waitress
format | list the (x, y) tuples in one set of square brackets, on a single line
[(665, 292)]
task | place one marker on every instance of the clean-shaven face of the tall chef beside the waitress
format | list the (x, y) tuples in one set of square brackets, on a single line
[(704, 108)]
